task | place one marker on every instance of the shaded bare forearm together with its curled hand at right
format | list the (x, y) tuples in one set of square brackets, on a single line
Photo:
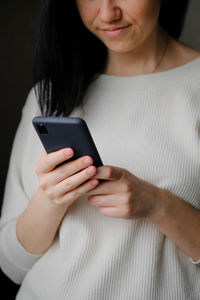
[(127, 196)]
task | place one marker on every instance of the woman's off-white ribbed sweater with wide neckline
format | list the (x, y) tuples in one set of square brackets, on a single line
[(149, 125)]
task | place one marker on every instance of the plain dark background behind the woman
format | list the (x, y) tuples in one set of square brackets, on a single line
[(18, 21)]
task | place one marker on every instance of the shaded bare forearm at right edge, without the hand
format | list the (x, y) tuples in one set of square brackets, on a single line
[(180, 222)]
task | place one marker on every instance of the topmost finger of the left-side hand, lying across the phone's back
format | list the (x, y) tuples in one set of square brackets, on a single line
[(48, 162)]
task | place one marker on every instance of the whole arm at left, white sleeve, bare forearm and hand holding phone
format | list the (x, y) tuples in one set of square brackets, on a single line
[(28, 225)]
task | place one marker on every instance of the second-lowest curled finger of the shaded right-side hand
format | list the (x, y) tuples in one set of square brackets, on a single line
[(106, 200)]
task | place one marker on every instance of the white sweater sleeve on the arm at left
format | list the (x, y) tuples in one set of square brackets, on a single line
[(15, 261)]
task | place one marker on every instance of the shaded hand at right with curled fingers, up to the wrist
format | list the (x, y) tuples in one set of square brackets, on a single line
[(124, 195)]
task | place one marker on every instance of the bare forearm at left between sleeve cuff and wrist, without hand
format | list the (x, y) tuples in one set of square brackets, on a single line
[(37, 226)]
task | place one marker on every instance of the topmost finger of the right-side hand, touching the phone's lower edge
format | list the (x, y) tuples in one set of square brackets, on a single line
[(109, 173)]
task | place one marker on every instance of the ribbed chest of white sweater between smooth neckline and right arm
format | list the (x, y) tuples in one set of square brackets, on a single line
[(157, 140)]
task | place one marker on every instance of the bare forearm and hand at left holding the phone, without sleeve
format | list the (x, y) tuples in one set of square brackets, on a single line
[(58, 189)]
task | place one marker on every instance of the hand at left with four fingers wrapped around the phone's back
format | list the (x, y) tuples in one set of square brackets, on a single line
[(65, 183)]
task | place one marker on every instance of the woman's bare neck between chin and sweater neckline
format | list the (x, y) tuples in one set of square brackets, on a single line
[(140, 60)]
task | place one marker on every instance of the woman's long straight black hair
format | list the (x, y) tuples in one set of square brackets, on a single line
[(68, 57)]
